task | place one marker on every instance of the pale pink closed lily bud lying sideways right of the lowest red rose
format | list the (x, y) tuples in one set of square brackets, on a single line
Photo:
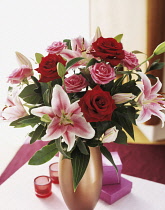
[(121, 98)]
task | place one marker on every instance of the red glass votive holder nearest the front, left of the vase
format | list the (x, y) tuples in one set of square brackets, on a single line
[(43, 186)]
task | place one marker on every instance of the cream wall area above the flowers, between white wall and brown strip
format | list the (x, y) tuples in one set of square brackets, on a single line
[(121, 16)]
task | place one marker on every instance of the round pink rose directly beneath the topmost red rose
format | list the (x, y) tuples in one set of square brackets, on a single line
[(102, 73)]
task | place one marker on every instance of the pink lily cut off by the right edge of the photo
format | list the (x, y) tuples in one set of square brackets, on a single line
[(150, 101)]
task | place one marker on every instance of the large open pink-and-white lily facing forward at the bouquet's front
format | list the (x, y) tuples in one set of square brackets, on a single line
[(66, 119)]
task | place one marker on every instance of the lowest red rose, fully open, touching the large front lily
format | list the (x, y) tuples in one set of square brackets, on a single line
[(97, 105)]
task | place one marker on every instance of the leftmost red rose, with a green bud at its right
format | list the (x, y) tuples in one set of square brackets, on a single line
[(48, 67)]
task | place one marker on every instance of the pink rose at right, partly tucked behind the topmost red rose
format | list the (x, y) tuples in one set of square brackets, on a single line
[(130, 61)]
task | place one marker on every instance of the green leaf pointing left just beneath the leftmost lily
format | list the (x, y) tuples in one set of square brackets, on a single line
[(26, 121)]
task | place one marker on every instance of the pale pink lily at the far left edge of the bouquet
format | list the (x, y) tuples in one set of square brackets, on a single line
[(14, 108)]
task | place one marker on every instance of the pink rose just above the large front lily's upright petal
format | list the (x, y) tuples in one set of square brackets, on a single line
[(75, 83)]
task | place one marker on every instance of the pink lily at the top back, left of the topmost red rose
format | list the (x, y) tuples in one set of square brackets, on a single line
[(80, 48)]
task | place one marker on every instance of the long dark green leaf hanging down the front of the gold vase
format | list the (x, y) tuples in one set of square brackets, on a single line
[(79, 165)]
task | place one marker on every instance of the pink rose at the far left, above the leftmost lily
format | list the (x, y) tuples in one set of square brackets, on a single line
[(20, 74)]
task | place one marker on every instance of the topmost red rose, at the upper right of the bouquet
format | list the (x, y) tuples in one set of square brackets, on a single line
[(109, 50)]
